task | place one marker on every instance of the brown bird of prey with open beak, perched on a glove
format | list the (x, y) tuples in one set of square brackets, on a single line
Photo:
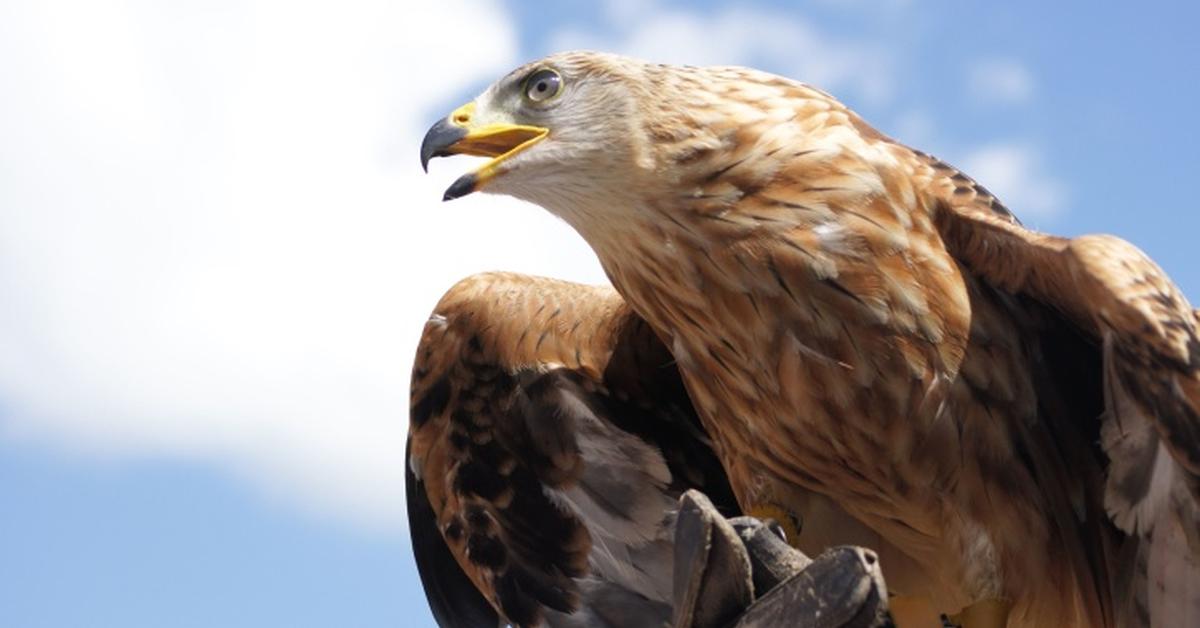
[(877, 348)]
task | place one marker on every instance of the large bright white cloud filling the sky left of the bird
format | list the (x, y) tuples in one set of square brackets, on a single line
[(215, 238)]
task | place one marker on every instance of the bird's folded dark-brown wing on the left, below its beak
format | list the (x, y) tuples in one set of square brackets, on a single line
[(550, 439)]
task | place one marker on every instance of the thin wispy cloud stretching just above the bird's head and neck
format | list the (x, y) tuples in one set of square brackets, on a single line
[(747, 37)]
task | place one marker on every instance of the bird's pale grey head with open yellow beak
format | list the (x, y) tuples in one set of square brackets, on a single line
[(557, 129)]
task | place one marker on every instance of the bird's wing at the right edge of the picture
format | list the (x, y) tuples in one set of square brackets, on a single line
[(1143, 342)]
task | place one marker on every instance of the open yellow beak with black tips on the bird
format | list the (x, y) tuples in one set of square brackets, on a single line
[(459, 135)]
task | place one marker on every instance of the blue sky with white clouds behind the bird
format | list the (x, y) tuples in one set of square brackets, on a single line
[(217, 250)]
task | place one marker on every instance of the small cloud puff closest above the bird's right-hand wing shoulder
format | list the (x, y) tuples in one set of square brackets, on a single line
[(1017, 175)]
